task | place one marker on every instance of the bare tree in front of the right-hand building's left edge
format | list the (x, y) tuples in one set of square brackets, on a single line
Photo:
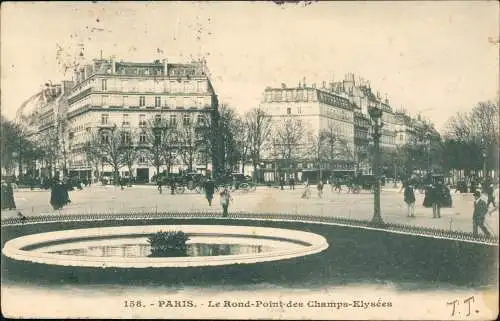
[(259, 125)]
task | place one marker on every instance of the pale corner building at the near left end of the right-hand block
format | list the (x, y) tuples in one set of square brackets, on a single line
[(318, 110)]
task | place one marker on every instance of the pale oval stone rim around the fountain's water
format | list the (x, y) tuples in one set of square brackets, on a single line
[(14, 248)]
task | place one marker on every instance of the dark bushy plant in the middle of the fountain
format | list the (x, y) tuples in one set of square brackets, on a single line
[(168, 243)]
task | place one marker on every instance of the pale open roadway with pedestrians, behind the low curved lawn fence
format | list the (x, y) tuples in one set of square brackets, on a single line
[(110, 199)]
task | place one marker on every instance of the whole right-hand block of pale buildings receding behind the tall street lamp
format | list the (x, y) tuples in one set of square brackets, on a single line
[(342, 107)]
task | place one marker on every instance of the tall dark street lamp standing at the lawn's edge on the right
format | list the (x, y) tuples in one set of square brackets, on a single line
[(376, 116)]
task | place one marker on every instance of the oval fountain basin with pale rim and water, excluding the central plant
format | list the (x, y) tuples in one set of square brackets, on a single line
[(127, 246)]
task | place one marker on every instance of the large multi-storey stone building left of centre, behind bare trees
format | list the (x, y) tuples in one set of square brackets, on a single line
[(109, 93)]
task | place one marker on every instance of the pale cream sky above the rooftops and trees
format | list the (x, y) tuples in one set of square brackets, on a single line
[(433, 58)]
